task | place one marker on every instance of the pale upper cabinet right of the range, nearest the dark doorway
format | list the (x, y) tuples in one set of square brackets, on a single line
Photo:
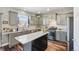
[(61, 20)]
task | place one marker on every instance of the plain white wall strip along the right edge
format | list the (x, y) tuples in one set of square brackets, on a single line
[(76, 28)]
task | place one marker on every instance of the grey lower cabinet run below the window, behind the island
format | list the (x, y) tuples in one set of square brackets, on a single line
[(12, 40)]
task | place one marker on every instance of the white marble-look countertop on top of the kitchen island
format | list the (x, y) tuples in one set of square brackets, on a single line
[(23, 39)]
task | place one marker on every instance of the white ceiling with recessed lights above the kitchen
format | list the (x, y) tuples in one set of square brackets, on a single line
[(44, 10)]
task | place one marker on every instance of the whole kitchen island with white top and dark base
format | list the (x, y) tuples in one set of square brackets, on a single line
[(34, 41)]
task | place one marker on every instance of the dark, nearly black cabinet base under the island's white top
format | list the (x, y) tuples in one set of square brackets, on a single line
[(40, 44)]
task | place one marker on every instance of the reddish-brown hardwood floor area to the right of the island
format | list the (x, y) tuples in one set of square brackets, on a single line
[(56, 46)]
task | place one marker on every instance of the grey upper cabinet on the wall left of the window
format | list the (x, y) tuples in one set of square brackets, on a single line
[(13, 18)]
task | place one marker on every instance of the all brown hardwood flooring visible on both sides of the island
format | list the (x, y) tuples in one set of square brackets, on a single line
[(52, 46)]
